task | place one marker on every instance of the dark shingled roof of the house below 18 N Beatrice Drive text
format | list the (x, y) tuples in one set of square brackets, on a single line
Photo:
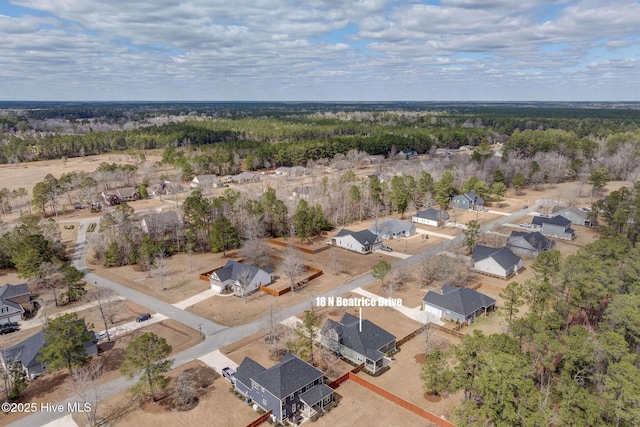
[(368, 342)]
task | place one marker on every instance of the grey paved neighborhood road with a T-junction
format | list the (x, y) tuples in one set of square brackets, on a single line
[(217, 336)]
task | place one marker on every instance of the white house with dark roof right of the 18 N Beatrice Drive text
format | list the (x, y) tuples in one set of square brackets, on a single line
[(458, 304)]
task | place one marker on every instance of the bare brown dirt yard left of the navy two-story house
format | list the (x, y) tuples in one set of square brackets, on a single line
[(216, 406)]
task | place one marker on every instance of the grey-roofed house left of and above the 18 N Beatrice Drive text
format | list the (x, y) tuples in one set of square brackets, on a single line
[(241, 279)]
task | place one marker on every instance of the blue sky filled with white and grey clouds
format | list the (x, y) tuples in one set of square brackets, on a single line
[(270, 50)]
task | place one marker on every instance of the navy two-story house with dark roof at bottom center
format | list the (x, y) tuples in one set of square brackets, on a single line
[(292, 389)]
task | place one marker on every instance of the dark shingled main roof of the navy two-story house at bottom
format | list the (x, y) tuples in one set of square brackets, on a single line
[(287, 377)]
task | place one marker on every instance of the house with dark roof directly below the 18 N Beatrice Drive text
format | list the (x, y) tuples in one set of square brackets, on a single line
[(361, 342)]
